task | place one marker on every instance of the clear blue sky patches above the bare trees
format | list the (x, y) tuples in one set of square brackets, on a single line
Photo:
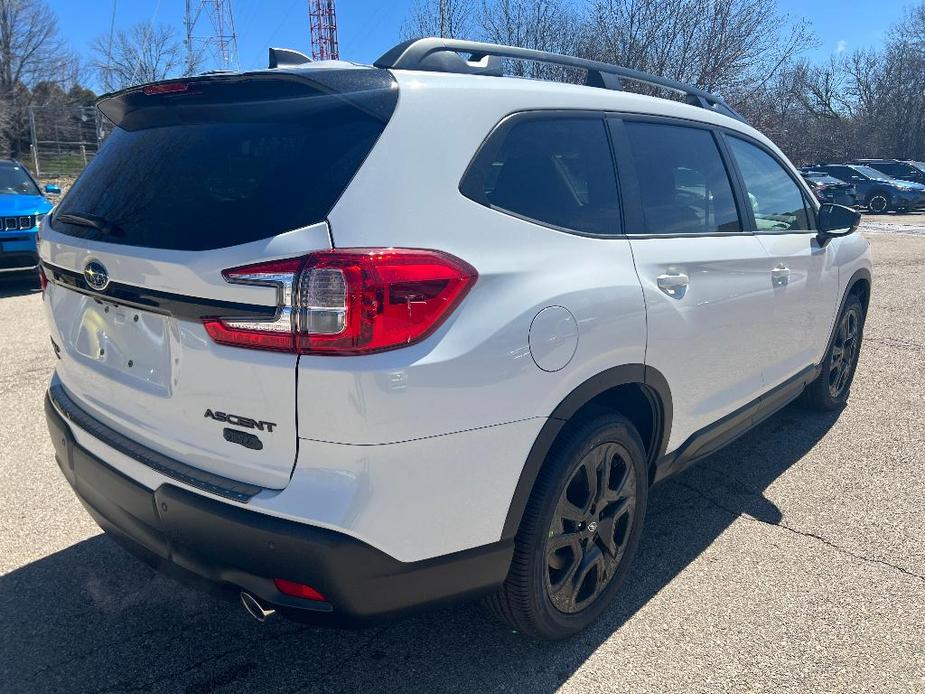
[(366, 28)]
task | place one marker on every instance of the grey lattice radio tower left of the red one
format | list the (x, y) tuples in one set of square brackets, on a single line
[(210, 30)]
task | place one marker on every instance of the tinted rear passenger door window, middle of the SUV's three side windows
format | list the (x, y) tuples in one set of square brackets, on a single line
[(683, 184)]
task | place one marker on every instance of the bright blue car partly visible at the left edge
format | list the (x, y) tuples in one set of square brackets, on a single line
[(22, 206)]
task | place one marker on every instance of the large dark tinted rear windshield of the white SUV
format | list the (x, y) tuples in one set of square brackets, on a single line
[(208, 174)]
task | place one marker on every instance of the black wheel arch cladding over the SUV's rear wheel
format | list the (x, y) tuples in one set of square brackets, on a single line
[(639, 392)]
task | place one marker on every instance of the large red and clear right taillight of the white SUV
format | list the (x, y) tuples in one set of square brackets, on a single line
[(349, 301)]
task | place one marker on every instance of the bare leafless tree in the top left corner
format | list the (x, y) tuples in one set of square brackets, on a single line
[(31, 51)]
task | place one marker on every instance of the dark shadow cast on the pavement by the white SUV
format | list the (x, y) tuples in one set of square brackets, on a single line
[(91, 618)]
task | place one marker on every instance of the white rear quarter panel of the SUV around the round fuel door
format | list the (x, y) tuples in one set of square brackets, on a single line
[(471, 365)]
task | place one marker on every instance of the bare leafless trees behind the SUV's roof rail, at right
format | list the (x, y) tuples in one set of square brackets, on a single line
[(868, 103)]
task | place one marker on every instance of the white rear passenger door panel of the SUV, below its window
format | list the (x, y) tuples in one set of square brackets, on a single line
[(729, 284)]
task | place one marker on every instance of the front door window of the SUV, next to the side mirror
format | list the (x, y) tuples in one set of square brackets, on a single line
[(775, 198)]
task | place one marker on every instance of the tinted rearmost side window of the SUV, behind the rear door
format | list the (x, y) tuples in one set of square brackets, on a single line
[(556, 171)]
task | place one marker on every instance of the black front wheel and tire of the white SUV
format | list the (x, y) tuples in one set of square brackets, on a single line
[(831, 388)]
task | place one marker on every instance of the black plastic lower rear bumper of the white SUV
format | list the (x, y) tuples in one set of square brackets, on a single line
[(227, 548)]
